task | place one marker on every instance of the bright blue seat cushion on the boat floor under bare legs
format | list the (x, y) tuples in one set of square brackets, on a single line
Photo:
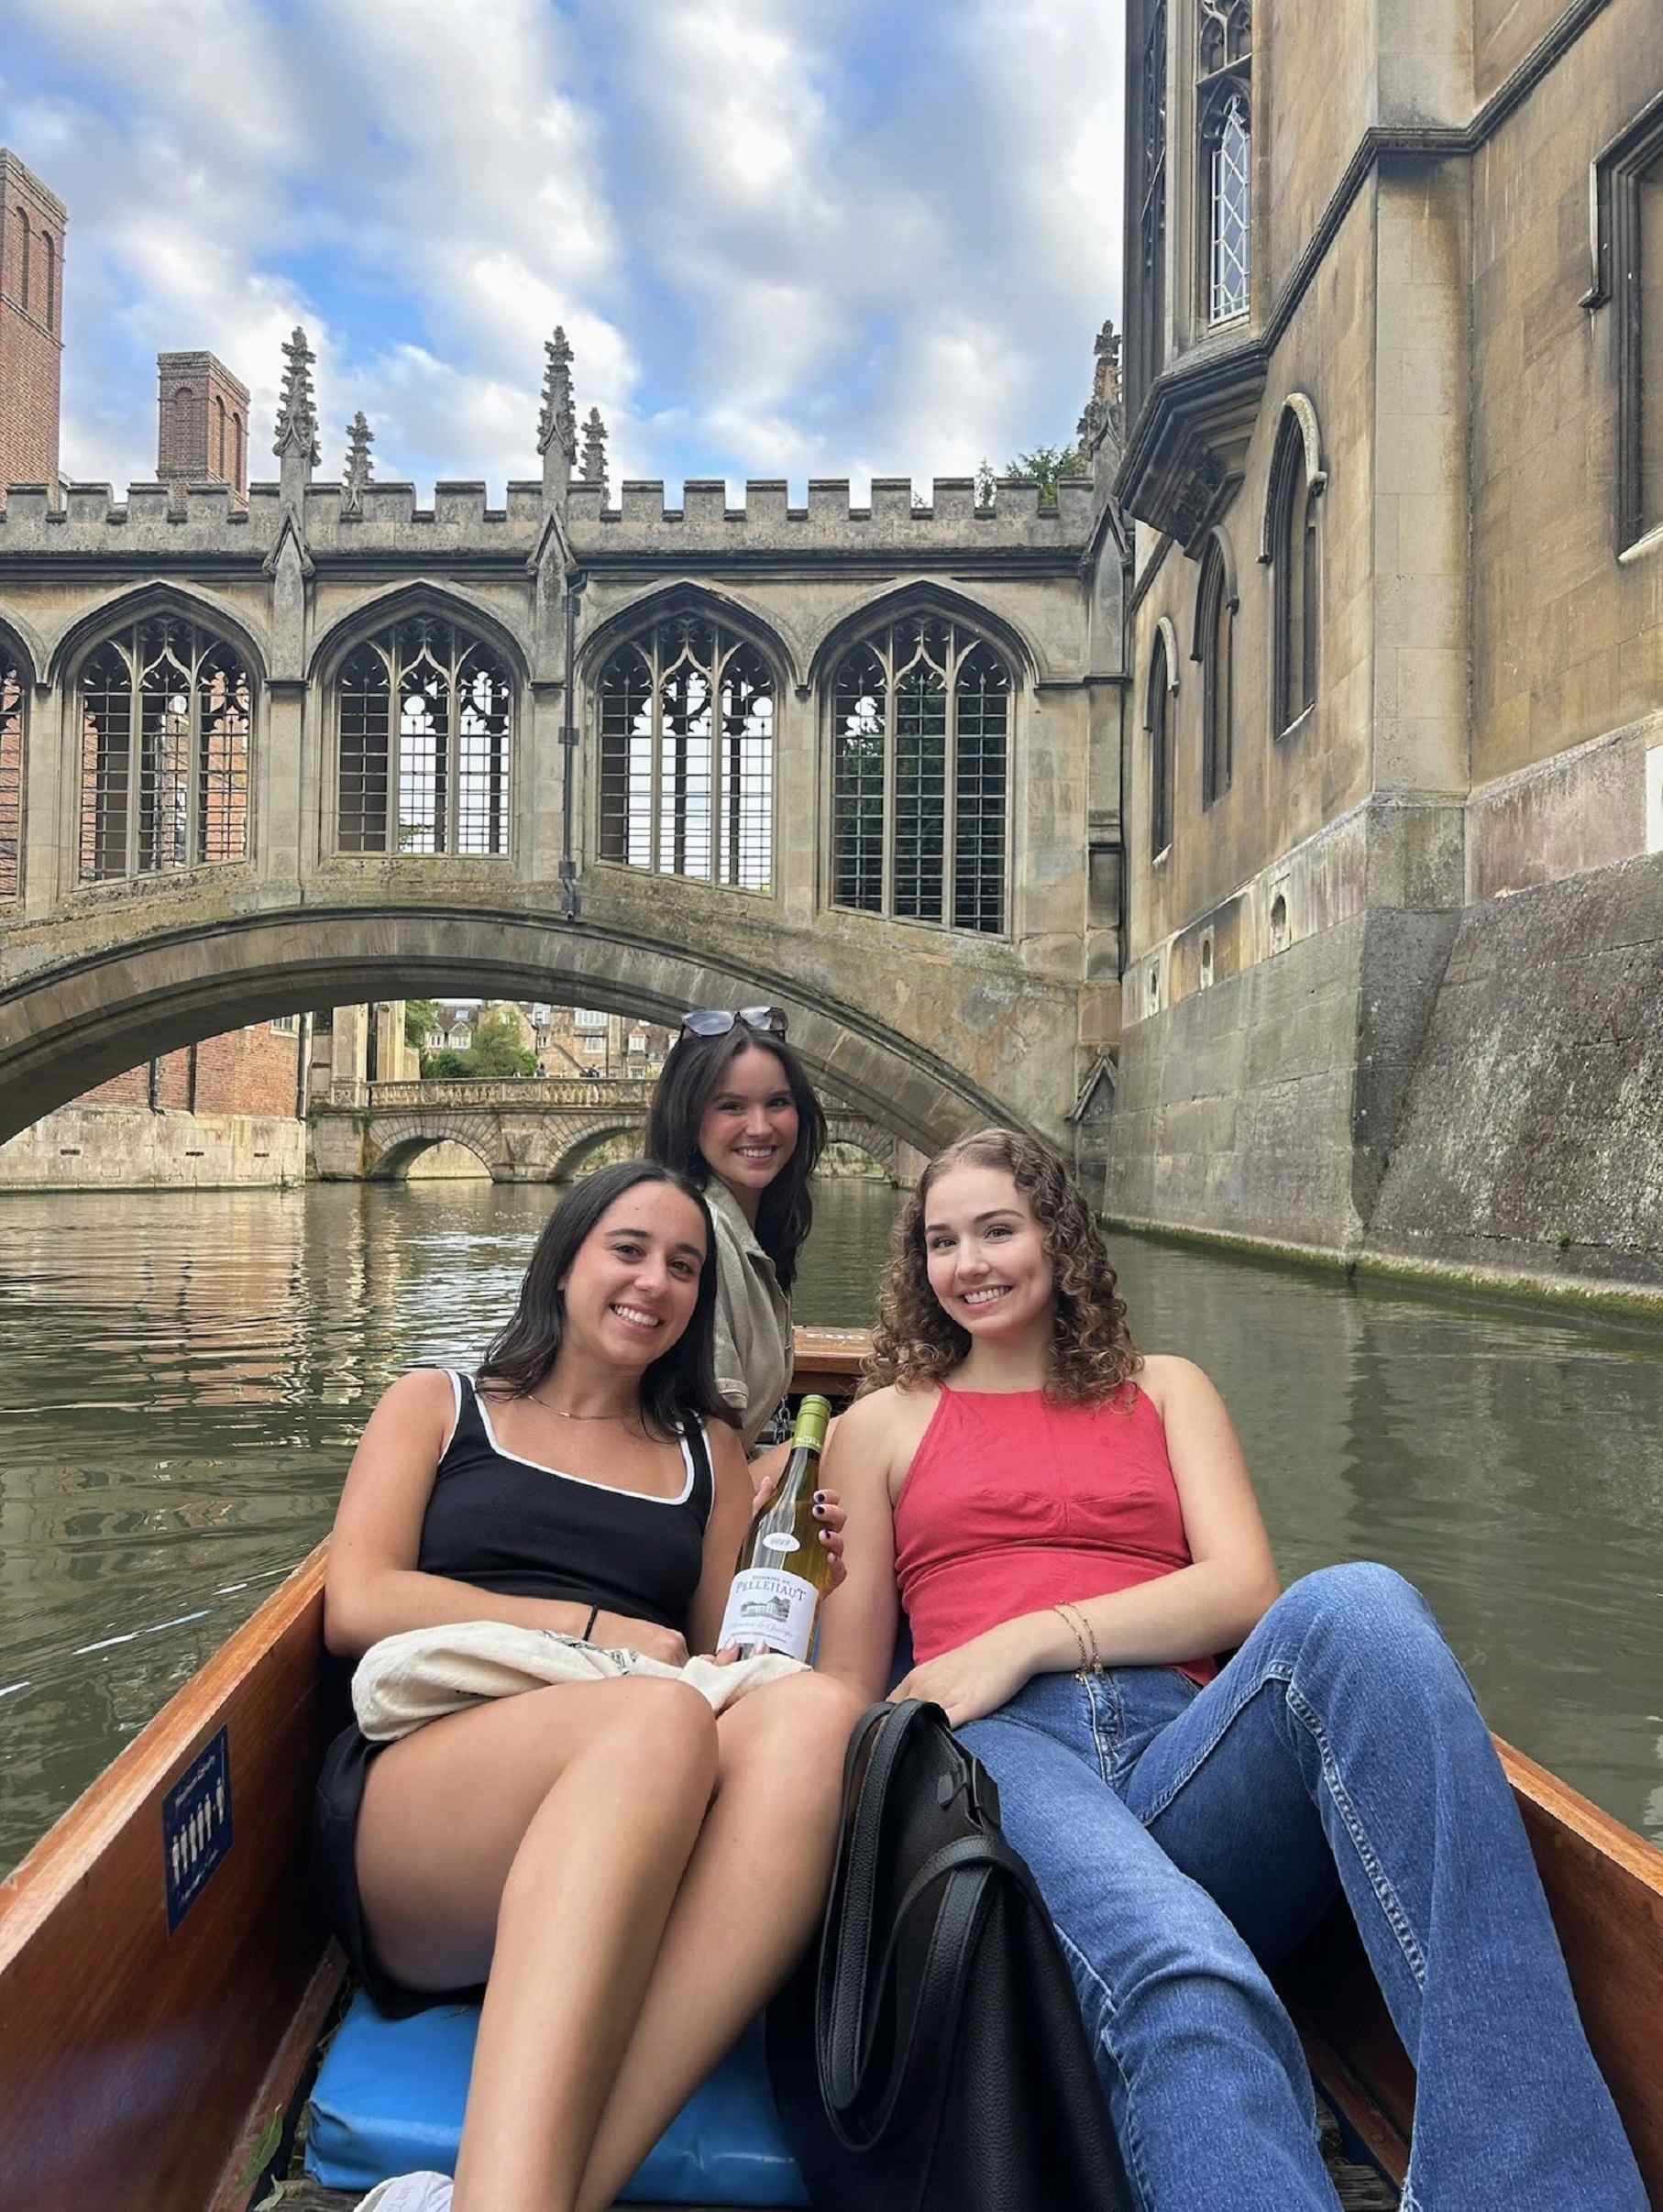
[(390, 2100)]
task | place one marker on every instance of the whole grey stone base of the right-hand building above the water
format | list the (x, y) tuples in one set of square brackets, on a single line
[(1474, 1096)]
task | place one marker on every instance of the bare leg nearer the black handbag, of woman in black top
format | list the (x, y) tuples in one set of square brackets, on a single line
[(751, 1899)]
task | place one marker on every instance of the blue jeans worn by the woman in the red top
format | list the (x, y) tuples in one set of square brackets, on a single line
[(1189, 1839)]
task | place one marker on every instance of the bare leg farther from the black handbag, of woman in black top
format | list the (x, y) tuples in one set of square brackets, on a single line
[(538, 1839)]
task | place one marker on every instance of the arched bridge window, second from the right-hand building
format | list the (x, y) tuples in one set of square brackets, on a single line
[(687, 718)]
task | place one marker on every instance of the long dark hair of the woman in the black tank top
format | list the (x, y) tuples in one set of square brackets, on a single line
[(682, 1381)]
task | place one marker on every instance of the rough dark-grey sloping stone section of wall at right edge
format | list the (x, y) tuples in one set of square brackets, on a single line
[(1534, 1134)]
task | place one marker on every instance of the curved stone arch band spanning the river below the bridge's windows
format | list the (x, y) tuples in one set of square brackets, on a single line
[(74, 1016)]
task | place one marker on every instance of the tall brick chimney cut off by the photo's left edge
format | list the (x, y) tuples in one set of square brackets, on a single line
[(32, 326)]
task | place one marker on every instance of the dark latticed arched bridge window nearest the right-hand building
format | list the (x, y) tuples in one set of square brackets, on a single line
[(921, 769)]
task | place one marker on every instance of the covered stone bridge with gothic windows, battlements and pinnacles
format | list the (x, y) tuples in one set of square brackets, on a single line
[(328, 744)]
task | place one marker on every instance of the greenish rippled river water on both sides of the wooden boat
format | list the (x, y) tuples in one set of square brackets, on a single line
[(182, 1381)]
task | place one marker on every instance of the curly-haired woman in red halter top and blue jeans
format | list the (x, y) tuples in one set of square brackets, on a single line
[(1074, 1536)]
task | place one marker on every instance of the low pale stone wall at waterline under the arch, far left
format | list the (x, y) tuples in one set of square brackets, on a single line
[(136, 1149)]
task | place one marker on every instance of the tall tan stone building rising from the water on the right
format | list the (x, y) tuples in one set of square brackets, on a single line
[(1394, 979)]
